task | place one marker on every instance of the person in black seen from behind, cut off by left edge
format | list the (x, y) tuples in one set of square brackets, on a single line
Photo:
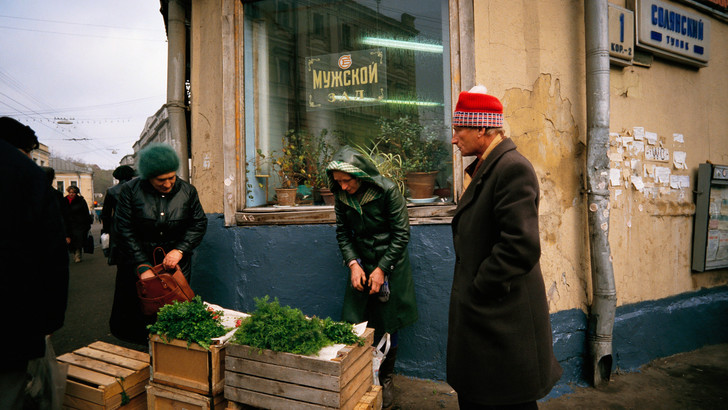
[(34, 267)]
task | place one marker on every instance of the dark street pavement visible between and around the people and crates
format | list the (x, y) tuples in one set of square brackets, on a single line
[(692, 380)]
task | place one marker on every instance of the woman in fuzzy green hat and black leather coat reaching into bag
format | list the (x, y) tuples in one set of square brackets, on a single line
[(158, 209)]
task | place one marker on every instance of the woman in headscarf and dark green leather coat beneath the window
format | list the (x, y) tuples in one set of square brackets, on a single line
[(372, 229)]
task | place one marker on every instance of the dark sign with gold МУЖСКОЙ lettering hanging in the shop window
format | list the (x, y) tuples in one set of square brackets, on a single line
[(345, 80)]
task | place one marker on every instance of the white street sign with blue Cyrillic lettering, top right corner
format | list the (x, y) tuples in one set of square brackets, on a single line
[(673, 32)]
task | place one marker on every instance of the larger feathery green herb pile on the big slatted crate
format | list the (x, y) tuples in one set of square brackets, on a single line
[(285, 329)]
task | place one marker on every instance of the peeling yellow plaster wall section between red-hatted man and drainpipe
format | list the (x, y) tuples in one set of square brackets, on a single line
[(530, 55)]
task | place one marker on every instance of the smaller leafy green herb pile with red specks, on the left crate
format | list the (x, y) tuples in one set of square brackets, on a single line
[(190, 320)]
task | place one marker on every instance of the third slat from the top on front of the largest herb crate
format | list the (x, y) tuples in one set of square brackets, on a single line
[(286, 390)]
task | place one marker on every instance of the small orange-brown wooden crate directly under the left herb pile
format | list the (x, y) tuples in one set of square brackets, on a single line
[(191, 368)]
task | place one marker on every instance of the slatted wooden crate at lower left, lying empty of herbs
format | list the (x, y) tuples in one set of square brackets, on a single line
[(101, 373)]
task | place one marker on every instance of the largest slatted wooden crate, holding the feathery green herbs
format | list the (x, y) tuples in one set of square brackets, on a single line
[(275, 380)]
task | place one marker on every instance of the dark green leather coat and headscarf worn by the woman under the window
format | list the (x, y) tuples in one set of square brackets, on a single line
[(377, 236)]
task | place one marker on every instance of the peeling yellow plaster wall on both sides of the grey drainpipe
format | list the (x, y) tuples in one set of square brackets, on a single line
[(531, 56)]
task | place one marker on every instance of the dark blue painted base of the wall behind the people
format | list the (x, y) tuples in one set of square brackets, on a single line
[(301, 266)]
